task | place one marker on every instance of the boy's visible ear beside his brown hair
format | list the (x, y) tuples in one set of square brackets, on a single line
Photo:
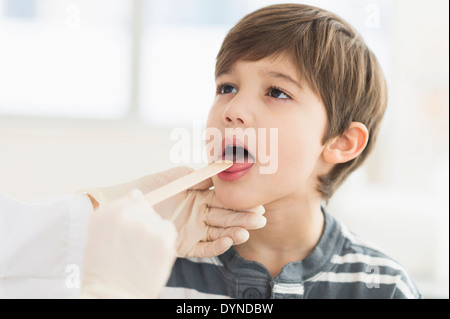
[(348, 146)]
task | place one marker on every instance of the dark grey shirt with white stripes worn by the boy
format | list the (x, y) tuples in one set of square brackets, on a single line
[(342, 265)]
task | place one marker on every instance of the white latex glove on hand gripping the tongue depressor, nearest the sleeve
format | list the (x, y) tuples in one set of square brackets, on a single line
[(130, 250)]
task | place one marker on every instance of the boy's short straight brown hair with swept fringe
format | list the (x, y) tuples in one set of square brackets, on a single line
[(330, 56)]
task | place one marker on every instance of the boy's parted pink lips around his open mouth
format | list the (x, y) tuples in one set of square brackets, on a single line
[(238, 170)]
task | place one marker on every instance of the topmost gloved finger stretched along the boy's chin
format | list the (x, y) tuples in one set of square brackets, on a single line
[(225, 218)]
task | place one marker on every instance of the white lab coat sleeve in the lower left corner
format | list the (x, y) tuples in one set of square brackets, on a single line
[(42, 246)]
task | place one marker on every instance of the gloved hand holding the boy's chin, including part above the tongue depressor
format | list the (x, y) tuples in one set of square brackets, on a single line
[(205, 227)]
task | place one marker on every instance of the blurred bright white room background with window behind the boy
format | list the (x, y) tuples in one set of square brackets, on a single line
[(90, 91)]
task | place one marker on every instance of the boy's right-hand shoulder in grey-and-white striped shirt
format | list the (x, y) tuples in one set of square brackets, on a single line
[(379, 275)]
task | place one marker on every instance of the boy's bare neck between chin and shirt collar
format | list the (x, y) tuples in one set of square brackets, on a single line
[(292, 231)]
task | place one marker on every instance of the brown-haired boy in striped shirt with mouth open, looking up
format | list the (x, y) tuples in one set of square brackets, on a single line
[(307, 73)]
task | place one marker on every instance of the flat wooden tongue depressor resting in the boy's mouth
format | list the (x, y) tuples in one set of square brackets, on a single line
[(183, 183)]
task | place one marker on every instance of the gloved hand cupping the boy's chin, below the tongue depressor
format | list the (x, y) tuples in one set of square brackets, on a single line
[(205, 228)]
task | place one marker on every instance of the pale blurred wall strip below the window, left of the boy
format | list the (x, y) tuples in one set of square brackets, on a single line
[(44, 157)]
